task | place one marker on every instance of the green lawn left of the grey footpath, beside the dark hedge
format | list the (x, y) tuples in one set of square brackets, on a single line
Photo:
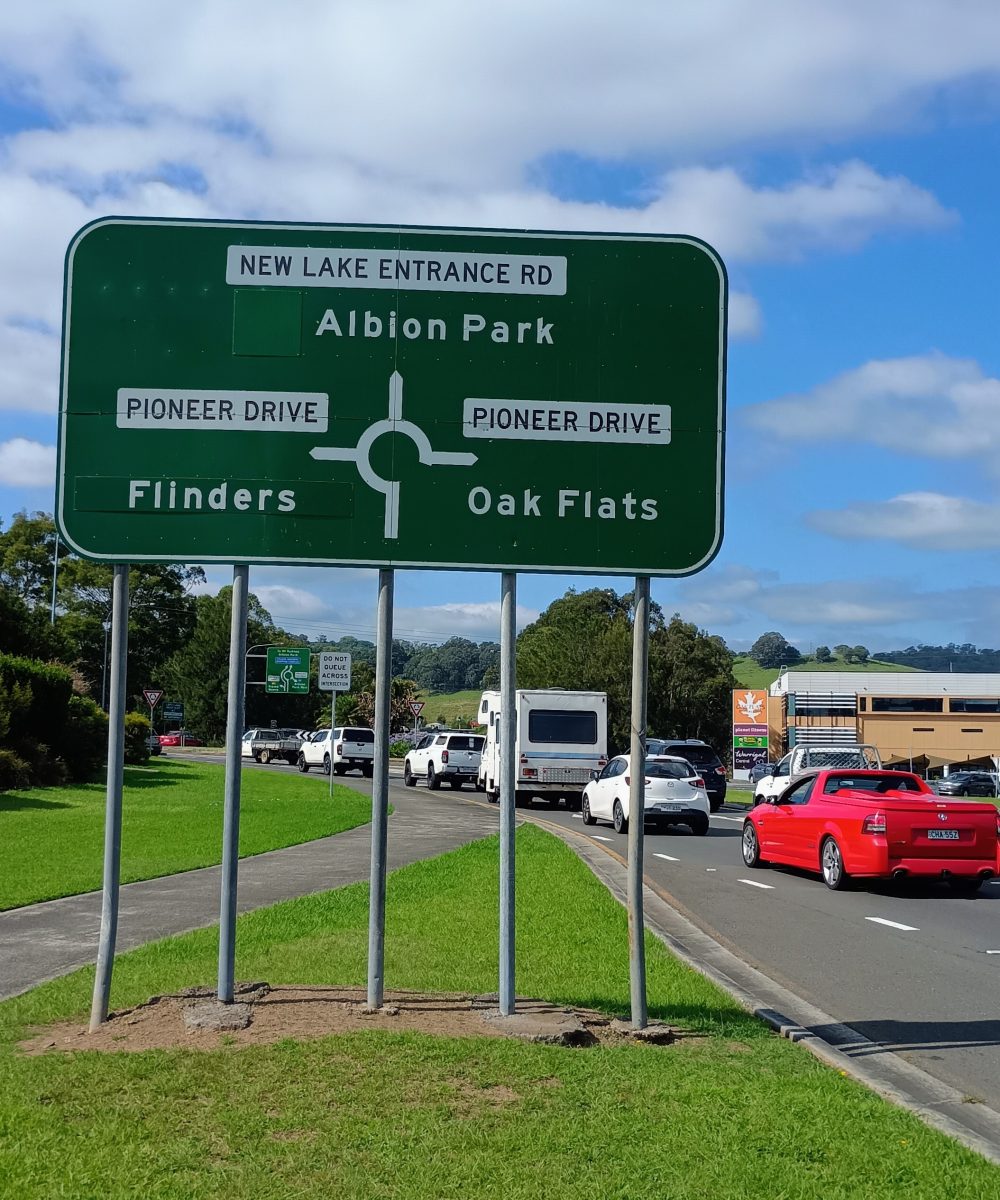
[(53, 838)]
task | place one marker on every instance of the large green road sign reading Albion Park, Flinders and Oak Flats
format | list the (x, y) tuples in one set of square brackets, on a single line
[(392, 397)]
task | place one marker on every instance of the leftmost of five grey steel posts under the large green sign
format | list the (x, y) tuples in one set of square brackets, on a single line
[(103, 980)]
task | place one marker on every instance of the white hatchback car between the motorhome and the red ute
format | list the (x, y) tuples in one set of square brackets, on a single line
[(675, 795)]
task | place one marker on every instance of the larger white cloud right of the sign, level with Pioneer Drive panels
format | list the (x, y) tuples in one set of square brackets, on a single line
[(932, 405)]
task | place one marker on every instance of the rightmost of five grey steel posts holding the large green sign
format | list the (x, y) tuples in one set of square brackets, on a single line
[(640, 673)]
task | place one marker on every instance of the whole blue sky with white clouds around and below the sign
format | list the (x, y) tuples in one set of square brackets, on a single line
[(842, 157)]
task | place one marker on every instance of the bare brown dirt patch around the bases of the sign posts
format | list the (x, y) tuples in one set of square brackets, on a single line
[(304, 1012)]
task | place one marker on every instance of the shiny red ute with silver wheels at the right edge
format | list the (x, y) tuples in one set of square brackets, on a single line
[(875, 825)]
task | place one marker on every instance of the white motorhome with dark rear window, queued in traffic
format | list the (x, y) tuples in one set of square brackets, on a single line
[(562, 739)]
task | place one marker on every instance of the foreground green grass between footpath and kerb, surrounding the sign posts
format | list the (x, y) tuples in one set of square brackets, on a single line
[(734, 1113)]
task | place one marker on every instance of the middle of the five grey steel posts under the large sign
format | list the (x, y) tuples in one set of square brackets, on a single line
[(380, 793)]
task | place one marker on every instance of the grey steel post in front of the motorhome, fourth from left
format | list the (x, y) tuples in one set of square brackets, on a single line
[(508, 719)]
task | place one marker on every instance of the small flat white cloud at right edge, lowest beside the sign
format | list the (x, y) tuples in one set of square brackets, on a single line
[(924, 520)]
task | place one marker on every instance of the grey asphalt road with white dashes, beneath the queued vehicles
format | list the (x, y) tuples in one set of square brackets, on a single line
[(907, 967)]
